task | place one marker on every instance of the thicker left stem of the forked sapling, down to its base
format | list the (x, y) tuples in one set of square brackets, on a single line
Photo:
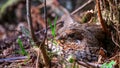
[(42, 46)]
